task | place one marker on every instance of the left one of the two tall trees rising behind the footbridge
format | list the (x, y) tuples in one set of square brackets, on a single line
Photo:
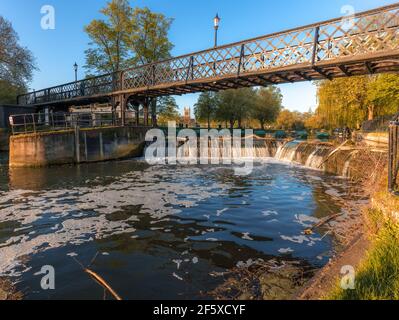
[(108, 50)]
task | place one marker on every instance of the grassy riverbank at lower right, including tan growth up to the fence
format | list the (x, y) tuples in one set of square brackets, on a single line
[(377, 276)]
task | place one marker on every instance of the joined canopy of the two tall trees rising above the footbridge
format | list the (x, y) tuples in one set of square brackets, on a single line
[(126, 37)]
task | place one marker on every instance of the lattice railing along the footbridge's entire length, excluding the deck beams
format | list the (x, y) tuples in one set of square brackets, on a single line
[(365, 35)]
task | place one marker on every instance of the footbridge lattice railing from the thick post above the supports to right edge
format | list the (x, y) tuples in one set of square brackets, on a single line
[(365, 34)]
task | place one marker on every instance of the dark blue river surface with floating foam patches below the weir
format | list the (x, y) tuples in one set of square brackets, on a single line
[(161, 232)]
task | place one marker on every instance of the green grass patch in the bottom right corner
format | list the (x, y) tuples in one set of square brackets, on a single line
[(377, 277)]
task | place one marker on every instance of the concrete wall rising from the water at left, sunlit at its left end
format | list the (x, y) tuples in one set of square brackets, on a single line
[(70, 146)]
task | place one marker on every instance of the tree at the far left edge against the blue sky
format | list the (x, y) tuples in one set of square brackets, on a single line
[(16, 64)]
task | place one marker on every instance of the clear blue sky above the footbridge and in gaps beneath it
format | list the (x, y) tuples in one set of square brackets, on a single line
[(192, 30)]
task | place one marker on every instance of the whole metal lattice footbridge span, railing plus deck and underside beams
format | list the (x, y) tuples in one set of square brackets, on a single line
[(367, 43)]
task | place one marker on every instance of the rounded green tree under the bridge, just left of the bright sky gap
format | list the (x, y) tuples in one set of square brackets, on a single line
[(267, 105)]
